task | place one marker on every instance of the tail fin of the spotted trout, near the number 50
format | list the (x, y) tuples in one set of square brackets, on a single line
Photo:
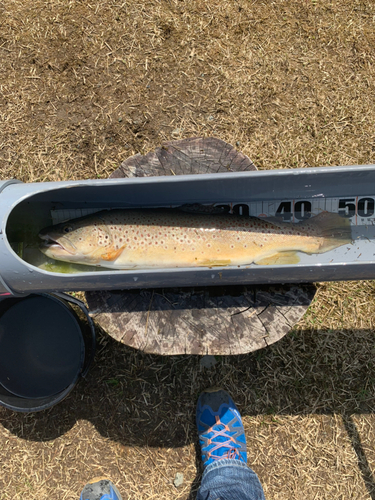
[(333, 228)]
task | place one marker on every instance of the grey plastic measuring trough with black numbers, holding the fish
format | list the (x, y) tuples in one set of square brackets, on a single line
[(293, 195)]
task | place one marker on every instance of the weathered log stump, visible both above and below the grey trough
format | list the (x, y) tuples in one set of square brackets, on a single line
[(204, 320)]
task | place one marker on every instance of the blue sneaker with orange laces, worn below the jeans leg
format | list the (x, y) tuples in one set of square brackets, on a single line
[(220, 428)]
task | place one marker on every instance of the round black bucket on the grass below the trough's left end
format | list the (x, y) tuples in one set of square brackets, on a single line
[(45, 347)]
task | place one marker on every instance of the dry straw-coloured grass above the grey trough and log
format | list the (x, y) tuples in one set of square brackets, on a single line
[(86, 84)]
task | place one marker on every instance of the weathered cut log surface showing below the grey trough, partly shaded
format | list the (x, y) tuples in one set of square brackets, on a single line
[(209, 320)]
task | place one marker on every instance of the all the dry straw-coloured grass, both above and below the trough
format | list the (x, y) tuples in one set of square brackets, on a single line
[(83, 85)]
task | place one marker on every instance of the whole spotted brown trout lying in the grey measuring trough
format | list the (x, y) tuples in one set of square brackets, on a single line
[(172, 238)]
